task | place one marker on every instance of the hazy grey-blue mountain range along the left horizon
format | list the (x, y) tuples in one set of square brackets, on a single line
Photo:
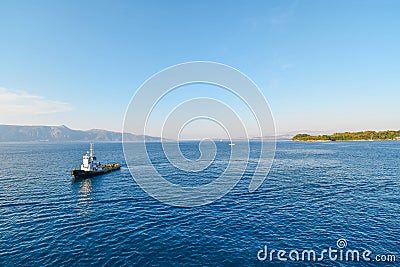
[(14, 133)]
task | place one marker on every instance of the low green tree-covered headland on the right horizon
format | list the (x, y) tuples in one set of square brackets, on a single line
[(349, 136)]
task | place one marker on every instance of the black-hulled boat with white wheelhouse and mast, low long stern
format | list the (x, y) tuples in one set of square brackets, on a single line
[(91, 167)]
